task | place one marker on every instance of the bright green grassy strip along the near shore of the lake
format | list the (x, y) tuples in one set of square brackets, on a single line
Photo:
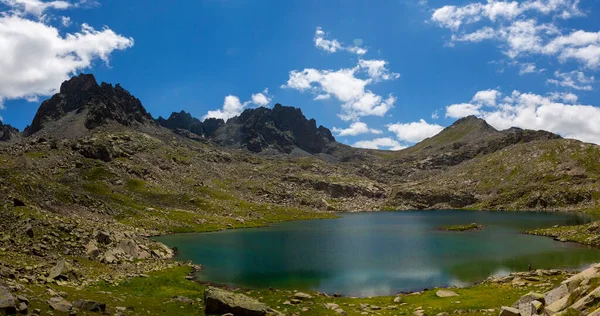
[(154, 295)]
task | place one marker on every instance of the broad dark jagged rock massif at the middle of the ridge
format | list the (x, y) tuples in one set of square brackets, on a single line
[(282, 128)]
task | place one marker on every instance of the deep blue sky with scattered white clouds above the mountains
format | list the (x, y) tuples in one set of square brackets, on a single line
[(380, 74)]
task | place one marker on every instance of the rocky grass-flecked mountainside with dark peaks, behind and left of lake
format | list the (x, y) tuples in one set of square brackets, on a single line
[(94, 175)]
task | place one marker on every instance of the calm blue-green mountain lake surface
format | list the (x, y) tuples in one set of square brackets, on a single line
[(367, 254)]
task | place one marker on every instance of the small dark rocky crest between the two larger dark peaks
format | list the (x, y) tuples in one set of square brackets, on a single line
[(184, 121)]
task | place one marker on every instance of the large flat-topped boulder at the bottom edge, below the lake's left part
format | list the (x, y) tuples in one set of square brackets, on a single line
[(219, 302)]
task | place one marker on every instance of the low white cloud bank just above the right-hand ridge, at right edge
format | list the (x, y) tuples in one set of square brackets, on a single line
[(556, 112)]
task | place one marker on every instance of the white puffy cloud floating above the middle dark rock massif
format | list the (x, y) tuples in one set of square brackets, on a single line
[(347, 85)]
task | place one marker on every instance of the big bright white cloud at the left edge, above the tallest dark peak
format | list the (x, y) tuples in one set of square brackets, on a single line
[(36, 58)]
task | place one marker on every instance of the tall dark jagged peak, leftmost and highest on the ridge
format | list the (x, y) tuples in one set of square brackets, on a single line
[(104, 103)]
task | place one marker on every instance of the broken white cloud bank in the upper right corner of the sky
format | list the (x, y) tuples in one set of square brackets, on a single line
[(515, 25)]
